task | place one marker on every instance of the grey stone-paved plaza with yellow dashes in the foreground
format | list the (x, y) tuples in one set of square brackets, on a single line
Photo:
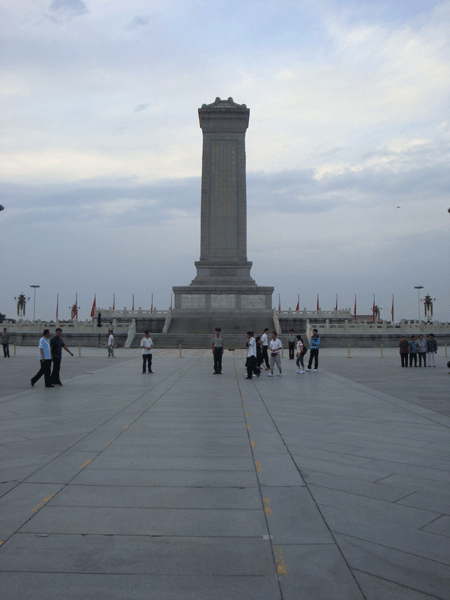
[(185, 485)]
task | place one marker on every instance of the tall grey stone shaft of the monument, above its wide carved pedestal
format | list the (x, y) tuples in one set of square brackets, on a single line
[(223, 245)]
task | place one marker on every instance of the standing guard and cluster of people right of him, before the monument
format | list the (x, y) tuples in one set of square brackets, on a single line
[(258, 349)]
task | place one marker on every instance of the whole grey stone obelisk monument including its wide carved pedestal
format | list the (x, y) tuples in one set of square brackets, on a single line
[(223, 285)]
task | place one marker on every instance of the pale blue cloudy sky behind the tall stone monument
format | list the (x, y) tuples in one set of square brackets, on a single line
[(347, 148)]
